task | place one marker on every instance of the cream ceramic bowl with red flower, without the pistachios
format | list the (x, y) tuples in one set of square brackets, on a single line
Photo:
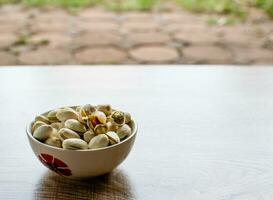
[(82, 163)]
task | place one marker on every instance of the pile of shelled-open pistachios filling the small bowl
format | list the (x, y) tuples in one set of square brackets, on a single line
[(82, 127)]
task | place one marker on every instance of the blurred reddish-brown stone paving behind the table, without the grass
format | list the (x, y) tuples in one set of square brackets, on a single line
[(30, 36)]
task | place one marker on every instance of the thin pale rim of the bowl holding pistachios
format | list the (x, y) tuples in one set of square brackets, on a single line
[(29, 134)]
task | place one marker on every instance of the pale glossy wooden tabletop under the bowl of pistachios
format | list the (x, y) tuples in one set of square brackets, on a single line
[(205, 133)]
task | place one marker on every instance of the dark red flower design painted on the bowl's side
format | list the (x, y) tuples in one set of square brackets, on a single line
[(55, 164)]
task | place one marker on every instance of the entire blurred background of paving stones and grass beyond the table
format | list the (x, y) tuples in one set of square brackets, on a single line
[(61, 32)]
